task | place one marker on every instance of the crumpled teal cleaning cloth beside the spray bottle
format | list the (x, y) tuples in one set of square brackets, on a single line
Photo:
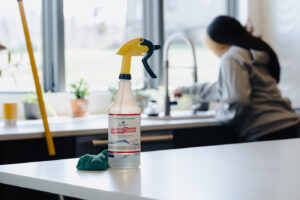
[(93, 162)]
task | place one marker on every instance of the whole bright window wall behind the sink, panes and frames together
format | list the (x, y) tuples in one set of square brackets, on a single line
[(93, 32)]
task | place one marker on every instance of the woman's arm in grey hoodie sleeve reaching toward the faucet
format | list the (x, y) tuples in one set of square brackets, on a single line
[(233, 85)]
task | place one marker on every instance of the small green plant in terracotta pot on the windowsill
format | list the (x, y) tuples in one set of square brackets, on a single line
[(79, 105)]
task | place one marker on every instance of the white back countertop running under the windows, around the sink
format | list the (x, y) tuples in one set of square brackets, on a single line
[(94, 124)]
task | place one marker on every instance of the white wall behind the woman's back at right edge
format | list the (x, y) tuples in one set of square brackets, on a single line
[(278, 22)]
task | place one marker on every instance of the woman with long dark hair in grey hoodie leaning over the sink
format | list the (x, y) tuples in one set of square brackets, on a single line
[(247, 84)]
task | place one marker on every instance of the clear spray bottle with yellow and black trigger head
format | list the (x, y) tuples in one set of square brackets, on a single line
[(124, 132)]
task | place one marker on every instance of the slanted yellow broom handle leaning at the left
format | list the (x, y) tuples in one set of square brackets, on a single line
[(49, 139)]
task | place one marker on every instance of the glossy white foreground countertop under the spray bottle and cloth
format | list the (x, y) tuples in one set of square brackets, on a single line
[(260, 171)]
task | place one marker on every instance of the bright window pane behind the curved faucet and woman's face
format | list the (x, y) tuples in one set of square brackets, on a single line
[(191, 17)]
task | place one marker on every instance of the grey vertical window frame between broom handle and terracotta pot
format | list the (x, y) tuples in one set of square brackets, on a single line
[(53, 45)]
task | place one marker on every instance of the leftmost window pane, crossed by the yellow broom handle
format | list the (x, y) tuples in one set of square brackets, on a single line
[(18, 76)]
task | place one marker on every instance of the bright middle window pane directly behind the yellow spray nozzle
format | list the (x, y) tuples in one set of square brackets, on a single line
[(94, 31)]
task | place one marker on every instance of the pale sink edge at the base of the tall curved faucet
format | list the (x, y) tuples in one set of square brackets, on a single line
[(183, 115)]
